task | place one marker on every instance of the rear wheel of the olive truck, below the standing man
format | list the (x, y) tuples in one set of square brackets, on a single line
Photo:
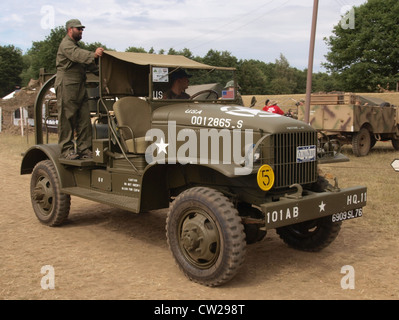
[(50, 205)]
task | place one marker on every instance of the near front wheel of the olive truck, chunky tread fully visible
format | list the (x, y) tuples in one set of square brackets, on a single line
[(206, 236)]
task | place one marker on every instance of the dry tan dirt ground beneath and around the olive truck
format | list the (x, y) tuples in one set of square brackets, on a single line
[(107, 253)]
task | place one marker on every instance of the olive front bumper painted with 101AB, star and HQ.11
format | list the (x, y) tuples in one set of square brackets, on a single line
[(340, 205)]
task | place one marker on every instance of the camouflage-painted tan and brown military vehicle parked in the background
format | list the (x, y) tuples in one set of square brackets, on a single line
[(346, 118)]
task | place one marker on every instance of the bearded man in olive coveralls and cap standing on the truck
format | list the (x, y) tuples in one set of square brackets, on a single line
[(73, 110)]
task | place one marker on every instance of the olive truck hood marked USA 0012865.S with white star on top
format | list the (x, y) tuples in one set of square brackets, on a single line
[(226, 117)]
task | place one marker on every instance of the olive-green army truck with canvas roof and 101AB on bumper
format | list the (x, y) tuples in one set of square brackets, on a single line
[(224, 173)]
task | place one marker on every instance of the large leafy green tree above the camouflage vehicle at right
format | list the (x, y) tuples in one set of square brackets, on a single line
[(367, 54)]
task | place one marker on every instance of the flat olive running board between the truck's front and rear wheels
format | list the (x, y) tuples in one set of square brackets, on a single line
[(113, 200)]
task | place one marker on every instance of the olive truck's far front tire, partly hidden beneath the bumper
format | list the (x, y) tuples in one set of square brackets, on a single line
[(312, 235)]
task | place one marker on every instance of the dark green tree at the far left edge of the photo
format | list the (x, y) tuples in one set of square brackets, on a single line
[(11, 65)]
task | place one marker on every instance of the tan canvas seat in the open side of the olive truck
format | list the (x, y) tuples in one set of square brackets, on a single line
[(133, 116)]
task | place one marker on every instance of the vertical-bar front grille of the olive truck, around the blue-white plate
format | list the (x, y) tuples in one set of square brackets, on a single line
[(286, 167)]
